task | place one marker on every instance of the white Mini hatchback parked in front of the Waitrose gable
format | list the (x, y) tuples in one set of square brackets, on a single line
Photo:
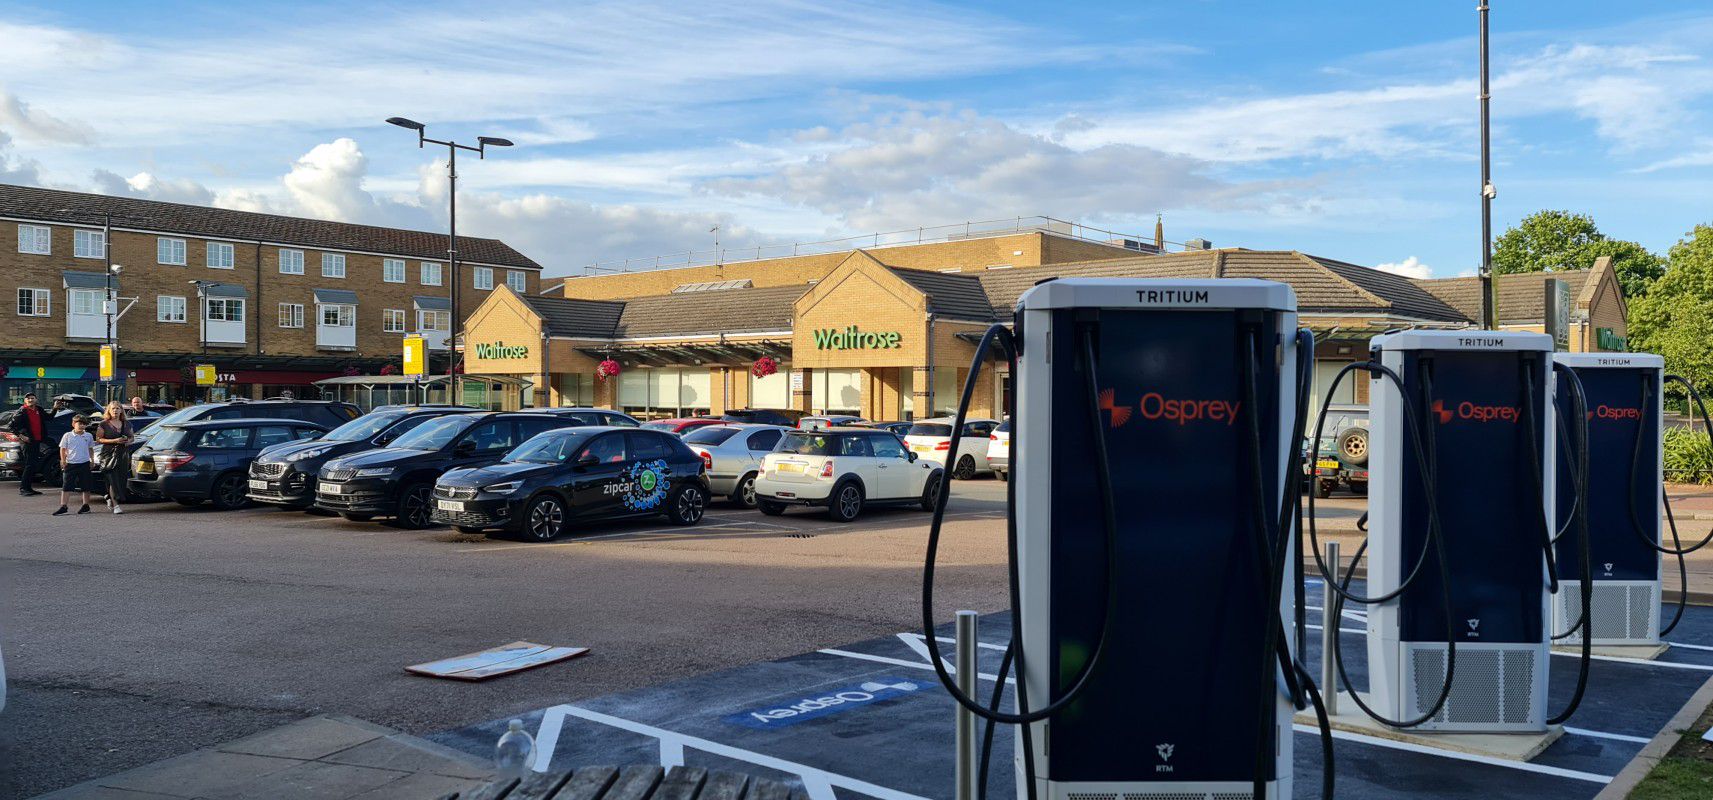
[(845, 470)]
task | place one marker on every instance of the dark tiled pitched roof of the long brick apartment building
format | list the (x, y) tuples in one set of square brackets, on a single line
[(51, 205)]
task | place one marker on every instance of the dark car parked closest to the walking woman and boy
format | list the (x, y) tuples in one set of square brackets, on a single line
[(210, 460)]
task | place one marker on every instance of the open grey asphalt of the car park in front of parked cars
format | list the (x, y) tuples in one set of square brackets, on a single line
[(141, 636)]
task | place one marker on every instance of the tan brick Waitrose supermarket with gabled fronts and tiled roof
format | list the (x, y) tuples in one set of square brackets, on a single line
[(890, 333)]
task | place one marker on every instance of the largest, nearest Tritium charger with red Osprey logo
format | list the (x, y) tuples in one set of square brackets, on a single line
[(1197, 402)]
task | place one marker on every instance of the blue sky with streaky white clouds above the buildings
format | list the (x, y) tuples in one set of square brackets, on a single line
[(1346, 129)]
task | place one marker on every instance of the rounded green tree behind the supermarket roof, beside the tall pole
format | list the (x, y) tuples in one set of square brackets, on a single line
[(1551, 241)]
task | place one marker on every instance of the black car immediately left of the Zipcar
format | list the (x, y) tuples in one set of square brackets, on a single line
[(398, 481)]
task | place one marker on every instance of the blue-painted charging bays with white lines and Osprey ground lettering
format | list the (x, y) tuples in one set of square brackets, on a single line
[(871, 720)]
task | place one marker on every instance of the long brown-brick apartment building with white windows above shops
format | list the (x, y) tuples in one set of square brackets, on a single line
[(273, 302)]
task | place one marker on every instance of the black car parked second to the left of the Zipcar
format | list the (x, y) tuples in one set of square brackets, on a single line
[(285, 475)]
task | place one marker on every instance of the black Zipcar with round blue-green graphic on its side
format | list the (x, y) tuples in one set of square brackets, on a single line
[(576, 475)]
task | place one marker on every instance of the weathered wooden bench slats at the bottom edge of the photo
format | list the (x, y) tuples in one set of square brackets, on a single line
[(643, 782)]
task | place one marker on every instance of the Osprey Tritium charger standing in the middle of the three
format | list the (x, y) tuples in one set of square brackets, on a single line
[(1484, 415)]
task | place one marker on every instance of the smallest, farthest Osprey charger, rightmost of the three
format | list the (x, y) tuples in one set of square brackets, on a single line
[(1625, 457)]
